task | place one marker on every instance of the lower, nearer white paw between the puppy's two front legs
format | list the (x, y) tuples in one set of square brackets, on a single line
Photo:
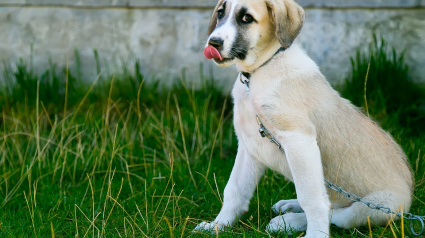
[(287, 223)]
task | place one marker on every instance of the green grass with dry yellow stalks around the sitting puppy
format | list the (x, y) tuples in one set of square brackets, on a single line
[(126, 158)]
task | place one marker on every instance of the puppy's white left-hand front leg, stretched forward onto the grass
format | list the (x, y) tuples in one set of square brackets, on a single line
[(239, 190)]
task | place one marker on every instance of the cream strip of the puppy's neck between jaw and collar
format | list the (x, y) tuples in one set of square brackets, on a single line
[(264, 58)]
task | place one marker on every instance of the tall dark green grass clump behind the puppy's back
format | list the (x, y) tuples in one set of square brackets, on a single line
[(391, 93)]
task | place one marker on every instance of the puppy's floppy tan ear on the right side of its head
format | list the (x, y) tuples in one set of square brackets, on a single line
[(288, 18)]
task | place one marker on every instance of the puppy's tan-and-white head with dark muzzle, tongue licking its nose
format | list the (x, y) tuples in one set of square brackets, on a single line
[(241, 29)]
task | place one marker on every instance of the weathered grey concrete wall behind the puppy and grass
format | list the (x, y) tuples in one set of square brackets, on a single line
[(168, 35)]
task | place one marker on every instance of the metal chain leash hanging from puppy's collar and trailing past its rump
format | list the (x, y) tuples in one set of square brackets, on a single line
[(408, 216)]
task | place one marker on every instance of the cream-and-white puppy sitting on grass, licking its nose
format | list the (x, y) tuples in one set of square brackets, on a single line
[(322, 134)]
